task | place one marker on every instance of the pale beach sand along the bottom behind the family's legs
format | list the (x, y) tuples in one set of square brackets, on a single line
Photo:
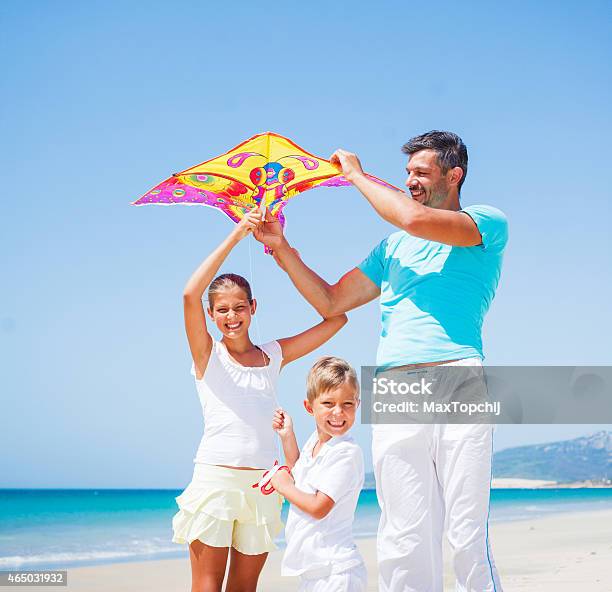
[(565, 552)]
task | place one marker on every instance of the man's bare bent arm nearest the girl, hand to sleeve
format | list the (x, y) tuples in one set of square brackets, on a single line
[(352, 290)]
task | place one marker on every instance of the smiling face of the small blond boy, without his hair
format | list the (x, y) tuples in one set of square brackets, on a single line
[(334, 411)]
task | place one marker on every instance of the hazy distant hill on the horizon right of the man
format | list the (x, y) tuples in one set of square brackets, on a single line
[(588, 458)]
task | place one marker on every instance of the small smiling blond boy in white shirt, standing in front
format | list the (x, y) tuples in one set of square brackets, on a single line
[(328, 475)]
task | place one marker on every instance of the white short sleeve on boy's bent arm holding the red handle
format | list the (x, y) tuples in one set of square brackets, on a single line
[(343, 472)]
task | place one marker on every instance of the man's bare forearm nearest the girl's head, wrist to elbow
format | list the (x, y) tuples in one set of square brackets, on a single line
[(311, 286)]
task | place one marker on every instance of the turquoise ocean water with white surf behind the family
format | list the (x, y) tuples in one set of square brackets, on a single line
[(54, 528)]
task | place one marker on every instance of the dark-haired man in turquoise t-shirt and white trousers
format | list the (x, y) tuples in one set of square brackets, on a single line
[(435, 278)]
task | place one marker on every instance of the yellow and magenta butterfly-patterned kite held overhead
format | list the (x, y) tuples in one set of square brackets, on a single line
[(266, 171)]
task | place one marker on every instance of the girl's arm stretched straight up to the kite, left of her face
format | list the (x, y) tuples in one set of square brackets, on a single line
[(200, 341)]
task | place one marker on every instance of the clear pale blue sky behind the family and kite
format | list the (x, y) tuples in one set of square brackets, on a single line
[(102, 101)]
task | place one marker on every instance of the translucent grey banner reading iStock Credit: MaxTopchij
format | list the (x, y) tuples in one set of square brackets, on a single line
[(494, 394)]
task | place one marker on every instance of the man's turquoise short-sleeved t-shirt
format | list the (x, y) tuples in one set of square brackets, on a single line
[(433, 297)]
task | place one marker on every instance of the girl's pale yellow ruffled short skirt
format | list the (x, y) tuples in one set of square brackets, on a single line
[(221, 508)]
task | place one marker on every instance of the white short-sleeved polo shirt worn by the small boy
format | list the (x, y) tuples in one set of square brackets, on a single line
[(319, 548)]
